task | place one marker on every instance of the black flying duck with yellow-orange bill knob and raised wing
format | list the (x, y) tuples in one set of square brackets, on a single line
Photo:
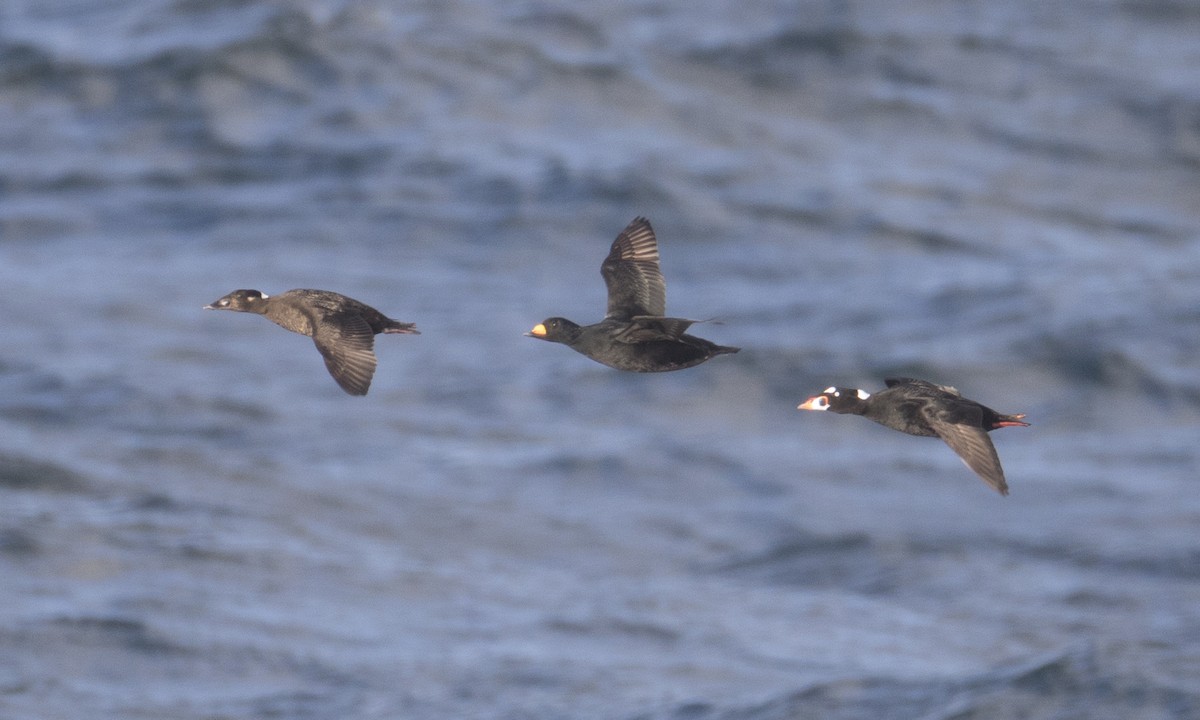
[(634, 335)]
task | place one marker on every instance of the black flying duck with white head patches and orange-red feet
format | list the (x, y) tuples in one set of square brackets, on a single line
[(922, 409)]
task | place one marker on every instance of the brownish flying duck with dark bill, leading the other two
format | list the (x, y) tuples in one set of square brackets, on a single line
[(343, 328)]
